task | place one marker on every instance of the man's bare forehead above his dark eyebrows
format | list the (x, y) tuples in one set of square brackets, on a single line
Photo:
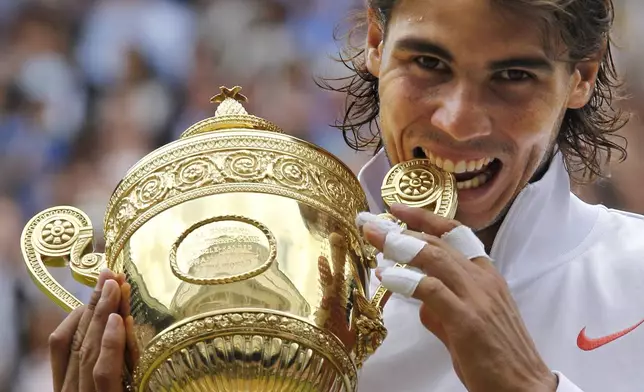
[(467, 27)]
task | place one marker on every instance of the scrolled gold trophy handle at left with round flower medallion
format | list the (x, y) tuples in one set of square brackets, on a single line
[(61, 237)]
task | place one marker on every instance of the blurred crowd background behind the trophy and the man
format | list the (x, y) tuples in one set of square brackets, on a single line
[(88, 87)]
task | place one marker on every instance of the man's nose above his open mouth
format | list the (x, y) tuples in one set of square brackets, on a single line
[(463, 114)]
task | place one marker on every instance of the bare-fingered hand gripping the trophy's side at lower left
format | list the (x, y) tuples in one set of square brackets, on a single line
[(87, 349)]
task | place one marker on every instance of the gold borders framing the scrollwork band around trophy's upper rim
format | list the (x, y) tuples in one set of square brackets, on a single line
[(228, 142)]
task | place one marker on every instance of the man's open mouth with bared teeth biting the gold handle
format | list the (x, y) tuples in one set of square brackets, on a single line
[(469, 174)]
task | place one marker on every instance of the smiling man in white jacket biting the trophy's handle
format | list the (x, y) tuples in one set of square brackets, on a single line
[(514, 97)]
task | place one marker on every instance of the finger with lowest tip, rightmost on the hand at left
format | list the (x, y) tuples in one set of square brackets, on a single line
[(108, 371)]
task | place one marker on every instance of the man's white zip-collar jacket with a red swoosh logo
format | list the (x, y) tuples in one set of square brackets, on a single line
[(569, 266)]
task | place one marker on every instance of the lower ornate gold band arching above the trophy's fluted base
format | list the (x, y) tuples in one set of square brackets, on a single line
[(245, 322)]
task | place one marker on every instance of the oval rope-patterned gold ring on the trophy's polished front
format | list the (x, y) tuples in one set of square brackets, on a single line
[(230, 279)]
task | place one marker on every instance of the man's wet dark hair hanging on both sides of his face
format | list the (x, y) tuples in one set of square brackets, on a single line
[(587, 136)]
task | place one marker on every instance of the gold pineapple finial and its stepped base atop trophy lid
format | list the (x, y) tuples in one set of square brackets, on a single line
[(230, 115)]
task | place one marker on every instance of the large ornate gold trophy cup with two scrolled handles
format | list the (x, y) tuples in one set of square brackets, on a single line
[(247, 270)]
